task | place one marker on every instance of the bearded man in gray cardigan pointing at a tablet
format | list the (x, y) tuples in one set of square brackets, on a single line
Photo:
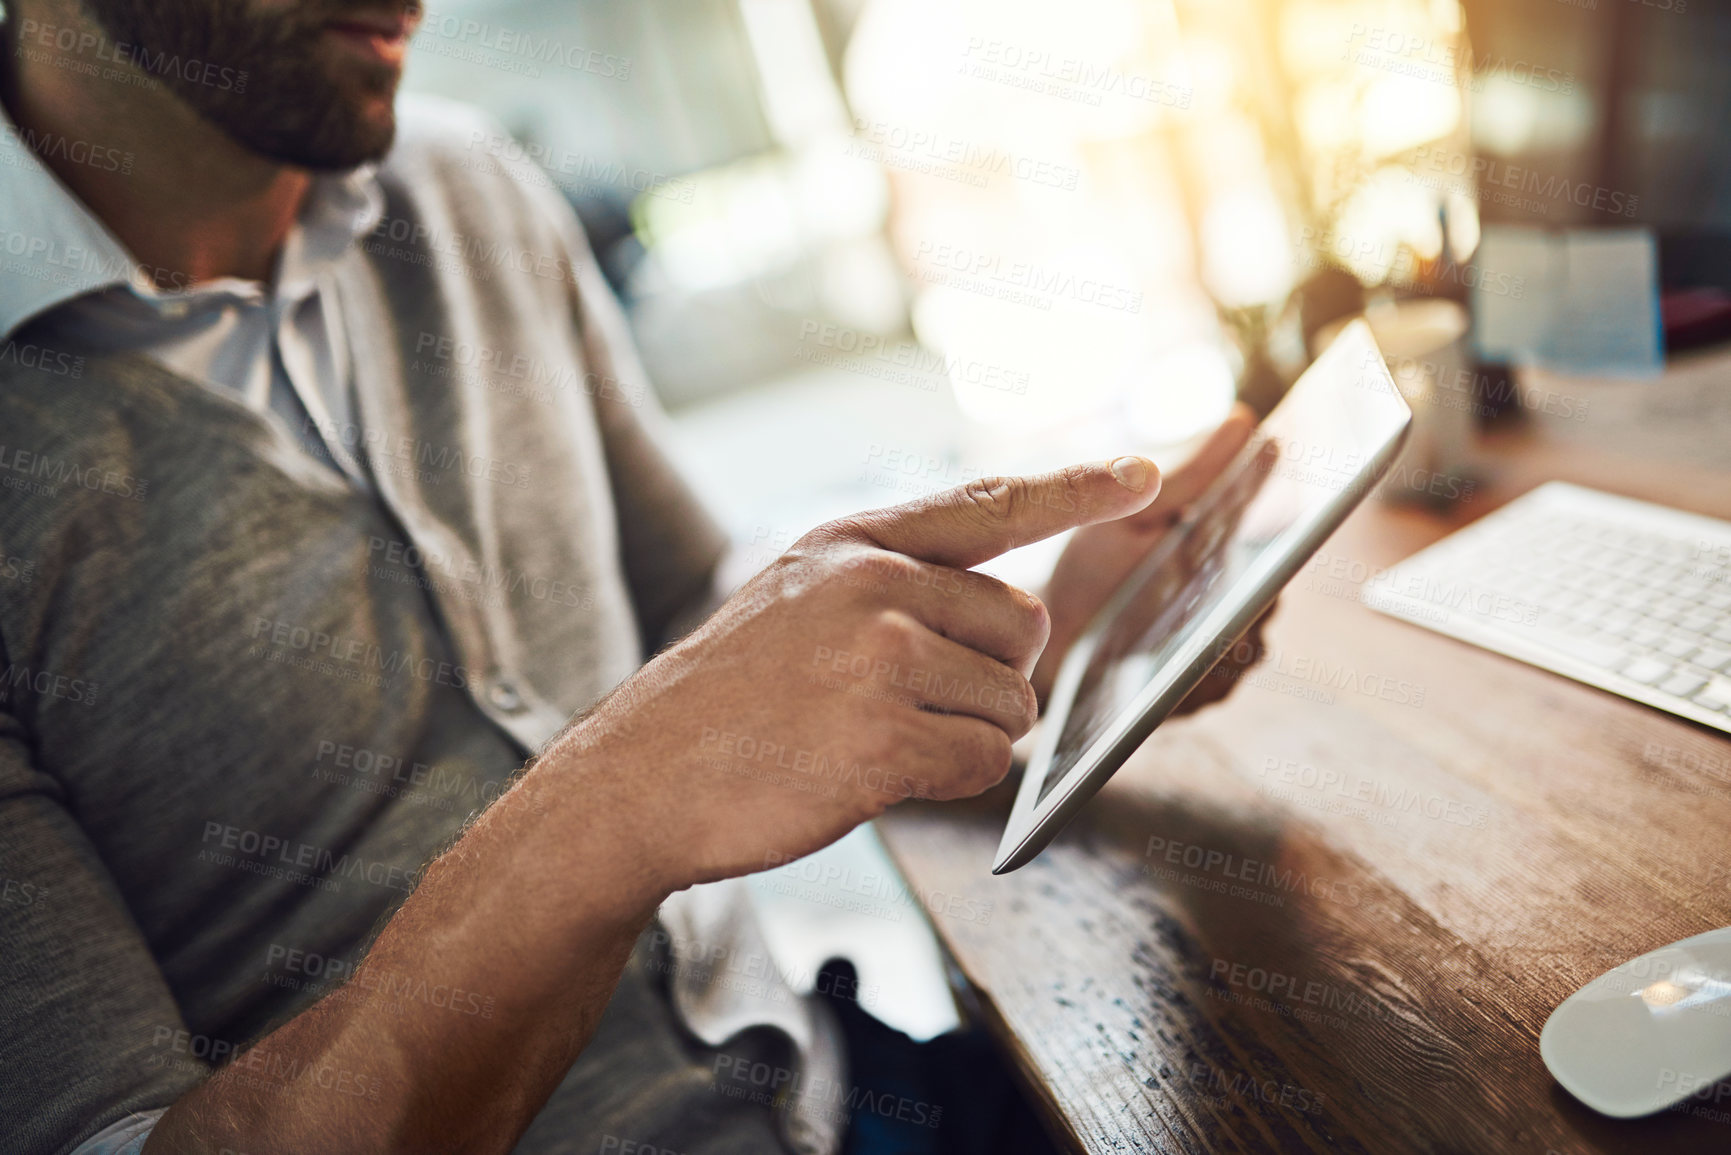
[(290, 593)]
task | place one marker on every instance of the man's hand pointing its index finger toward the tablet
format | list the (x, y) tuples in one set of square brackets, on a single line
[(866, 666)]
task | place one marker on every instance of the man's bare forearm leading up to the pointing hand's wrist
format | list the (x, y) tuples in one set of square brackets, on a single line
[(518, 932)]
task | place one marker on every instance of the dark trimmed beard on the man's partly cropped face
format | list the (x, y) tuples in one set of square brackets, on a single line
[(283, 96)]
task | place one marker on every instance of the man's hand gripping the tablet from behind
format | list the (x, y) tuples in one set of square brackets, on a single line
[(1098, 558)]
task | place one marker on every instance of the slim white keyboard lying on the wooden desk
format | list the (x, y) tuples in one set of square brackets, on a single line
[(1621, 595)]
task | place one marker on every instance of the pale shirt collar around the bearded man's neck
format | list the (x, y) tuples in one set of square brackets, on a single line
[(55, 250)]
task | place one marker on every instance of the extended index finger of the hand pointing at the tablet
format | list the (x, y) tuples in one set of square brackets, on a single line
[(989, 517)]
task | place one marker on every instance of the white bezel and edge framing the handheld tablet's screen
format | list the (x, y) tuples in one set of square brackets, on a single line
[(1036, 822)]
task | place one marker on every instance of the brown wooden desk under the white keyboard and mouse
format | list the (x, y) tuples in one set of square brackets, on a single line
[(1384, 984)]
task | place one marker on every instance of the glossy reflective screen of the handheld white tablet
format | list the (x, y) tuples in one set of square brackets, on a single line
[(1308, 463)]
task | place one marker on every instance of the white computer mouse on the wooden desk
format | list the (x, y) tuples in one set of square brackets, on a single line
[(1649, 1033)]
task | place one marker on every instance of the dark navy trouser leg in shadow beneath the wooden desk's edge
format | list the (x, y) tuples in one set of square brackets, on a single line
[(948, 1097)]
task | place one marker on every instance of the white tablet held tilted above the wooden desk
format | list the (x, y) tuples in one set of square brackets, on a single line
[(1188, 603)]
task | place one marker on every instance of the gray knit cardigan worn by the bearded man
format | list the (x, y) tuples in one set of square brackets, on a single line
[(245, 702)]
